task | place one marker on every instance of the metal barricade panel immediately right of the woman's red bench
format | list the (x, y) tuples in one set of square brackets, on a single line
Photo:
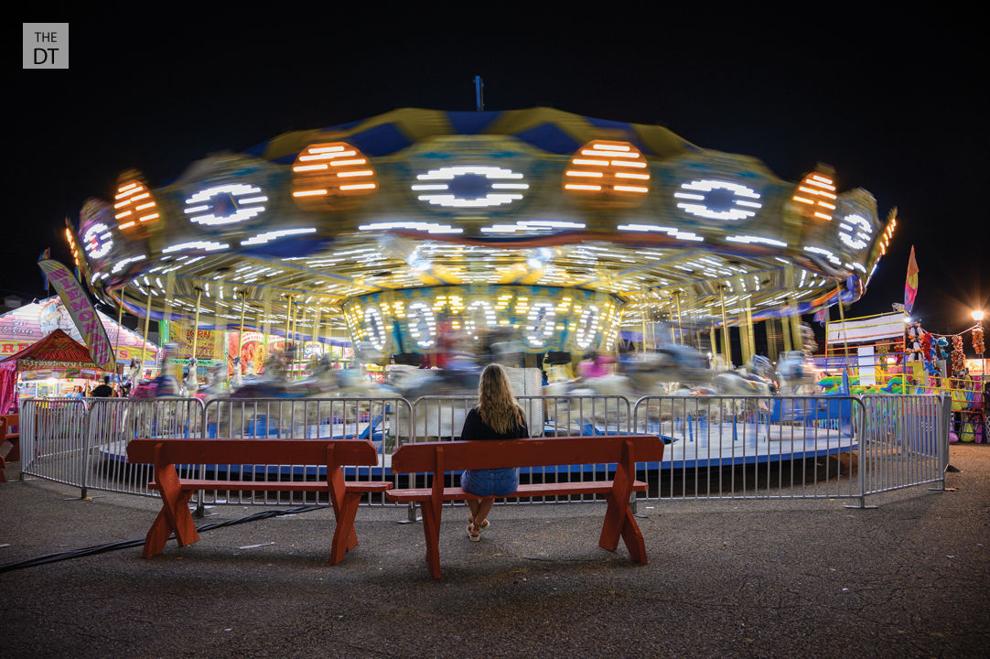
[(752, 447)]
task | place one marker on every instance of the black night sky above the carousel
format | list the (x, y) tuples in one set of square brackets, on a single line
[(898, 110)]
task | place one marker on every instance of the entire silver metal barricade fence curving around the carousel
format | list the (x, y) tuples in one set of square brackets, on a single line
[(718, 447)]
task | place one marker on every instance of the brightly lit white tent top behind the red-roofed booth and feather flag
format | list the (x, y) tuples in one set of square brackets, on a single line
[(30, 323)]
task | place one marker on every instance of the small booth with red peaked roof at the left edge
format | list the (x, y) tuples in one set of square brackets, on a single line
[(57, 359)]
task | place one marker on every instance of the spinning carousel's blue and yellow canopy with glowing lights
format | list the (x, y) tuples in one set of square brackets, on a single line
[(559, 225)]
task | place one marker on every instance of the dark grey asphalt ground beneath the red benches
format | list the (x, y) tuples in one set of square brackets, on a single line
[(752, 578)]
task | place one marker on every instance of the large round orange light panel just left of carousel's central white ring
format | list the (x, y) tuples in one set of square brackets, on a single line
[(325, 175)]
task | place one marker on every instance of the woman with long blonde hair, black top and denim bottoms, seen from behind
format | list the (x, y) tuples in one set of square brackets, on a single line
[(497, 416)]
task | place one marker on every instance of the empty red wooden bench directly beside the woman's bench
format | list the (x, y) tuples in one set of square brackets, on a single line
[(175, 517)]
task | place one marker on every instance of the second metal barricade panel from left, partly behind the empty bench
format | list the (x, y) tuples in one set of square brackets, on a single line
[(113, 422)]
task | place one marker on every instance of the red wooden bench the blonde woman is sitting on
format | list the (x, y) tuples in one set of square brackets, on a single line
[(441, 457)]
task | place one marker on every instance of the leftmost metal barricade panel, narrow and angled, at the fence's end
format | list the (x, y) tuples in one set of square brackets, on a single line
[(53, 438)]
